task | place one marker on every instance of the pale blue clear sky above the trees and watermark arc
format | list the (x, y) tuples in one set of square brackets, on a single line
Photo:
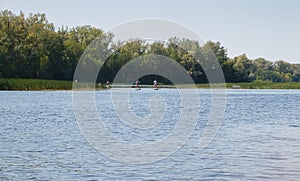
[(259, 28)]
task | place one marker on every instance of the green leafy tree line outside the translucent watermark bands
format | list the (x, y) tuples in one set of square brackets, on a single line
[(31, 47)]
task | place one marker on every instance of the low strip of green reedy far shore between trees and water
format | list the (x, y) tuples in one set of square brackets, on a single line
[(38, 84)]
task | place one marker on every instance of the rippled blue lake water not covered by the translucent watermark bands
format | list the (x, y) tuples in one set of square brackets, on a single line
[(259, 138)]
